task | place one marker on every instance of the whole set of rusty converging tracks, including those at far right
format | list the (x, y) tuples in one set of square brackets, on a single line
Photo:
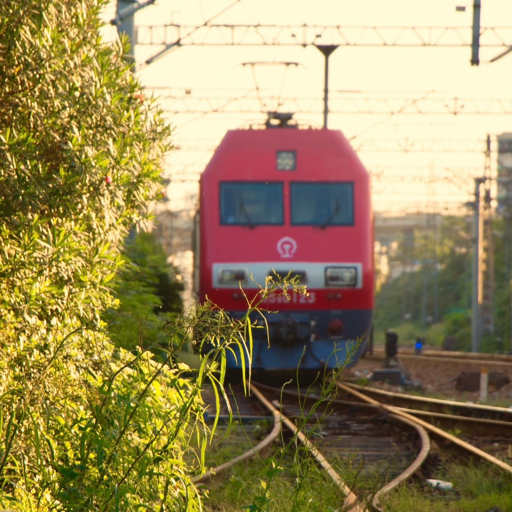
[(388, 443)]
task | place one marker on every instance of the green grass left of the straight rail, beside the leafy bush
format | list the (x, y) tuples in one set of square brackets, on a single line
[(286, 479)]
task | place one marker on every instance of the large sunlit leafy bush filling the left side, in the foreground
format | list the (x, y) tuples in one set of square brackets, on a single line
[(84, 426)]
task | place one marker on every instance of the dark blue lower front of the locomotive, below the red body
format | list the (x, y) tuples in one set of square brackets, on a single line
[(307, 341)]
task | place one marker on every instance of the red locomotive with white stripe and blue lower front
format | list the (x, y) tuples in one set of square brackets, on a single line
[(289, 199)]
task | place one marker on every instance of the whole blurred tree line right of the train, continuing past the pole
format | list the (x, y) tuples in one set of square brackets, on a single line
[(432, 291)]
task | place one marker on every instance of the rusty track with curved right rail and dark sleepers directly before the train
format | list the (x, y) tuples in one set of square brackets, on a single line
[(375, 446)]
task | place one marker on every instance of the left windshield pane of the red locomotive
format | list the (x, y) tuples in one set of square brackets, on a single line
[(251, 203)]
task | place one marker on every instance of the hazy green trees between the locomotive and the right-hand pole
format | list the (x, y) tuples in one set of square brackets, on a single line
[(436, 280)]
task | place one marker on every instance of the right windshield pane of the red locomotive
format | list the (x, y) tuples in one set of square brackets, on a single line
[(322, 204)]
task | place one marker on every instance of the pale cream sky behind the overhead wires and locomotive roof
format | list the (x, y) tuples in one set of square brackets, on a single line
[(433, 181)]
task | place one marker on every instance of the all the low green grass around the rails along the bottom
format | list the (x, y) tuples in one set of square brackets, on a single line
[(288, 481)]
